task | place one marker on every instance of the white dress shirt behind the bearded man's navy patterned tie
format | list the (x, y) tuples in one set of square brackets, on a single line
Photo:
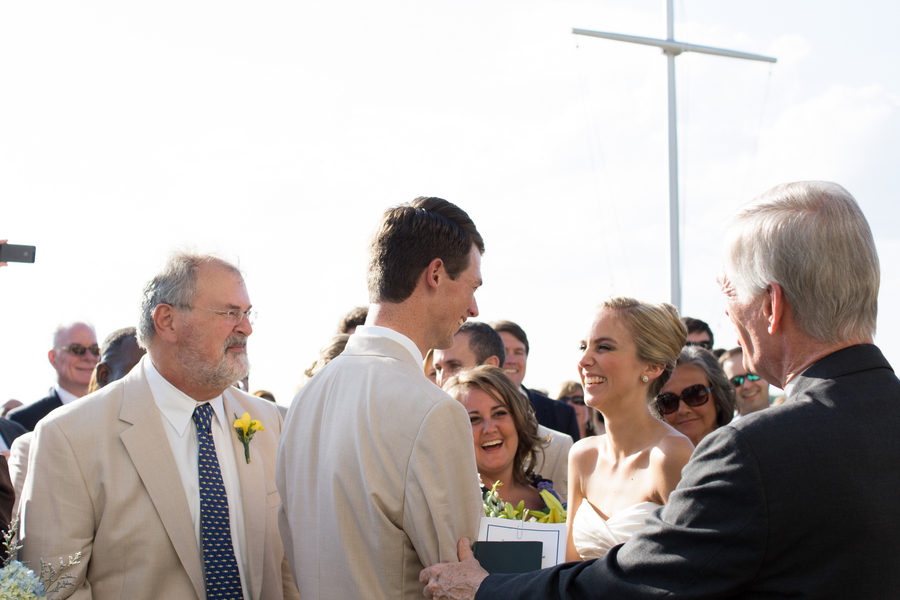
[(177, 409)]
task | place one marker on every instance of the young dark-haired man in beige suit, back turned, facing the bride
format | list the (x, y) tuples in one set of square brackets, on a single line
[(376, 466)]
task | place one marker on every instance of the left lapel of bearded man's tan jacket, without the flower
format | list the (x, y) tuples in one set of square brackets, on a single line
[(147, 445)]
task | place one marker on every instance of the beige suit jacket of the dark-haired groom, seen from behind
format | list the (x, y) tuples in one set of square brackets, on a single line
[(377, 475)]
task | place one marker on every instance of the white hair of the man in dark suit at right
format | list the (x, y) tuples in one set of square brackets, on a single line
[(812, 239)]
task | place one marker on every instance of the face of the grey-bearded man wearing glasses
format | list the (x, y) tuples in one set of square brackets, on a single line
[(212, 350)]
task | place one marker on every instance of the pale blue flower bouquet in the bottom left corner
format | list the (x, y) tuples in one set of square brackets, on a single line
[(18, 582)]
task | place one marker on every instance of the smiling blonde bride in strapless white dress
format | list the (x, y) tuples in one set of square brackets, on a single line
[(616, 480)]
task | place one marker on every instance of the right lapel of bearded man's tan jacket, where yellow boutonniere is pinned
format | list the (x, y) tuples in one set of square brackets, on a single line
[(253, 497)]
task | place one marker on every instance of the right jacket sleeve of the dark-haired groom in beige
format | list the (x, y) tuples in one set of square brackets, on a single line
[(443, 500)]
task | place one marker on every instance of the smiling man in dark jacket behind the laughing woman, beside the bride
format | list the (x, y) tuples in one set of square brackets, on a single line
[(554, 415)]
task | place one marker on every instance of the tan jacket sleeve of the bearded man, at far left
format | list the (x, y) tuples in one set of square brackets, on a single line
[(56, 509)]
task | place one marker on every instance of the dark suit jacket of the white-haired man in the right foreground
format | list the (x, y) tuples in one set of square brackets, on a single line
[(796, 501)]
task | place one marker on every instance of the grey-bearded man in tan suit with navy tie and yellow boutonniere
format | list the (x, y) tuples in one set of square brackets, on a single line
[(115, 475)]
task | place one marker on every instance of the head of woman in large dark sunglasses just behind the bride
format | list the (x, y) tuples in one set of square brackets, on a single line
[(698, 398)]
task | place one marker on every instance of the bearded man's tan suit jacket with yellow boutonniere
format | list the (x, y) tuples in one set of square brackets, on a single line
[(102, 480)]
